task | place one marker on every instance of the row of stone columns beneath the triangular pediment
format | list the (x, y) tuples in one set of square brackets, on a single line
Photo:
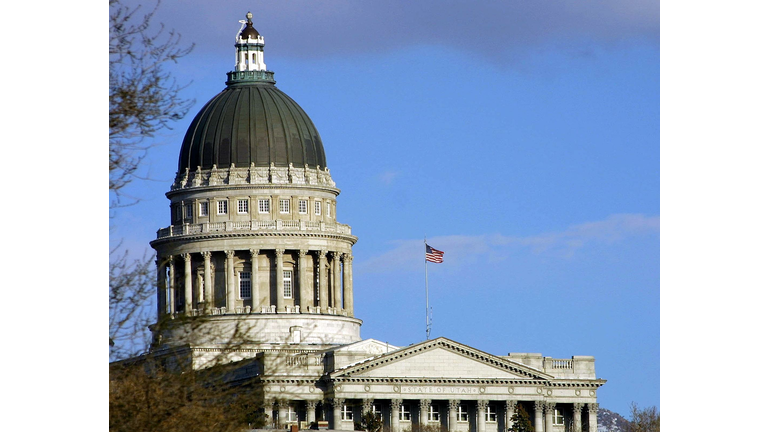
[(543, 418)]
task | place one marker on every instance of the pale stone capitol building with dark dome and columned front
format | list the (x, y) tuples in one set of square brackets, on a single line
[(257, 267)]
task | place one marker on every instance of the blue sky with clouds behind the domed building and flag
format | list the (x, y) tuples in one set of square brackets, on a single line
[(522, 138)]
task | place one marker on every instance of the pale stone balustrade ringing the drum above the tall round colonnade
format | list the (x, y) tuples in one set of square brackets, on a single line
[(253, 225)]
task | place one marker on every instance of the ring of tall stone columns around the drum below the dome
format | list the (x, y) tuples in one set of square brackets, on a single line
[(327, 291)]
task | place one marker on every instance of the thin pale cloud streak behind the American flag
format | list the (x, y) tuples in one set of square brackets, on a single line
[(408, 254)]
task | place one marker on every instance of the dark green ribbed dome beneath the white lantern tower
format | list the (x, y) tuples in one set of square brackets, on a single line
[(251, 122)]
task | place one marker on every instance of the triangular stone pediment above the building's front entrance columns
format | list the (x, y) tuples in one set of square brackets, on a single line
[(439, 358)]
